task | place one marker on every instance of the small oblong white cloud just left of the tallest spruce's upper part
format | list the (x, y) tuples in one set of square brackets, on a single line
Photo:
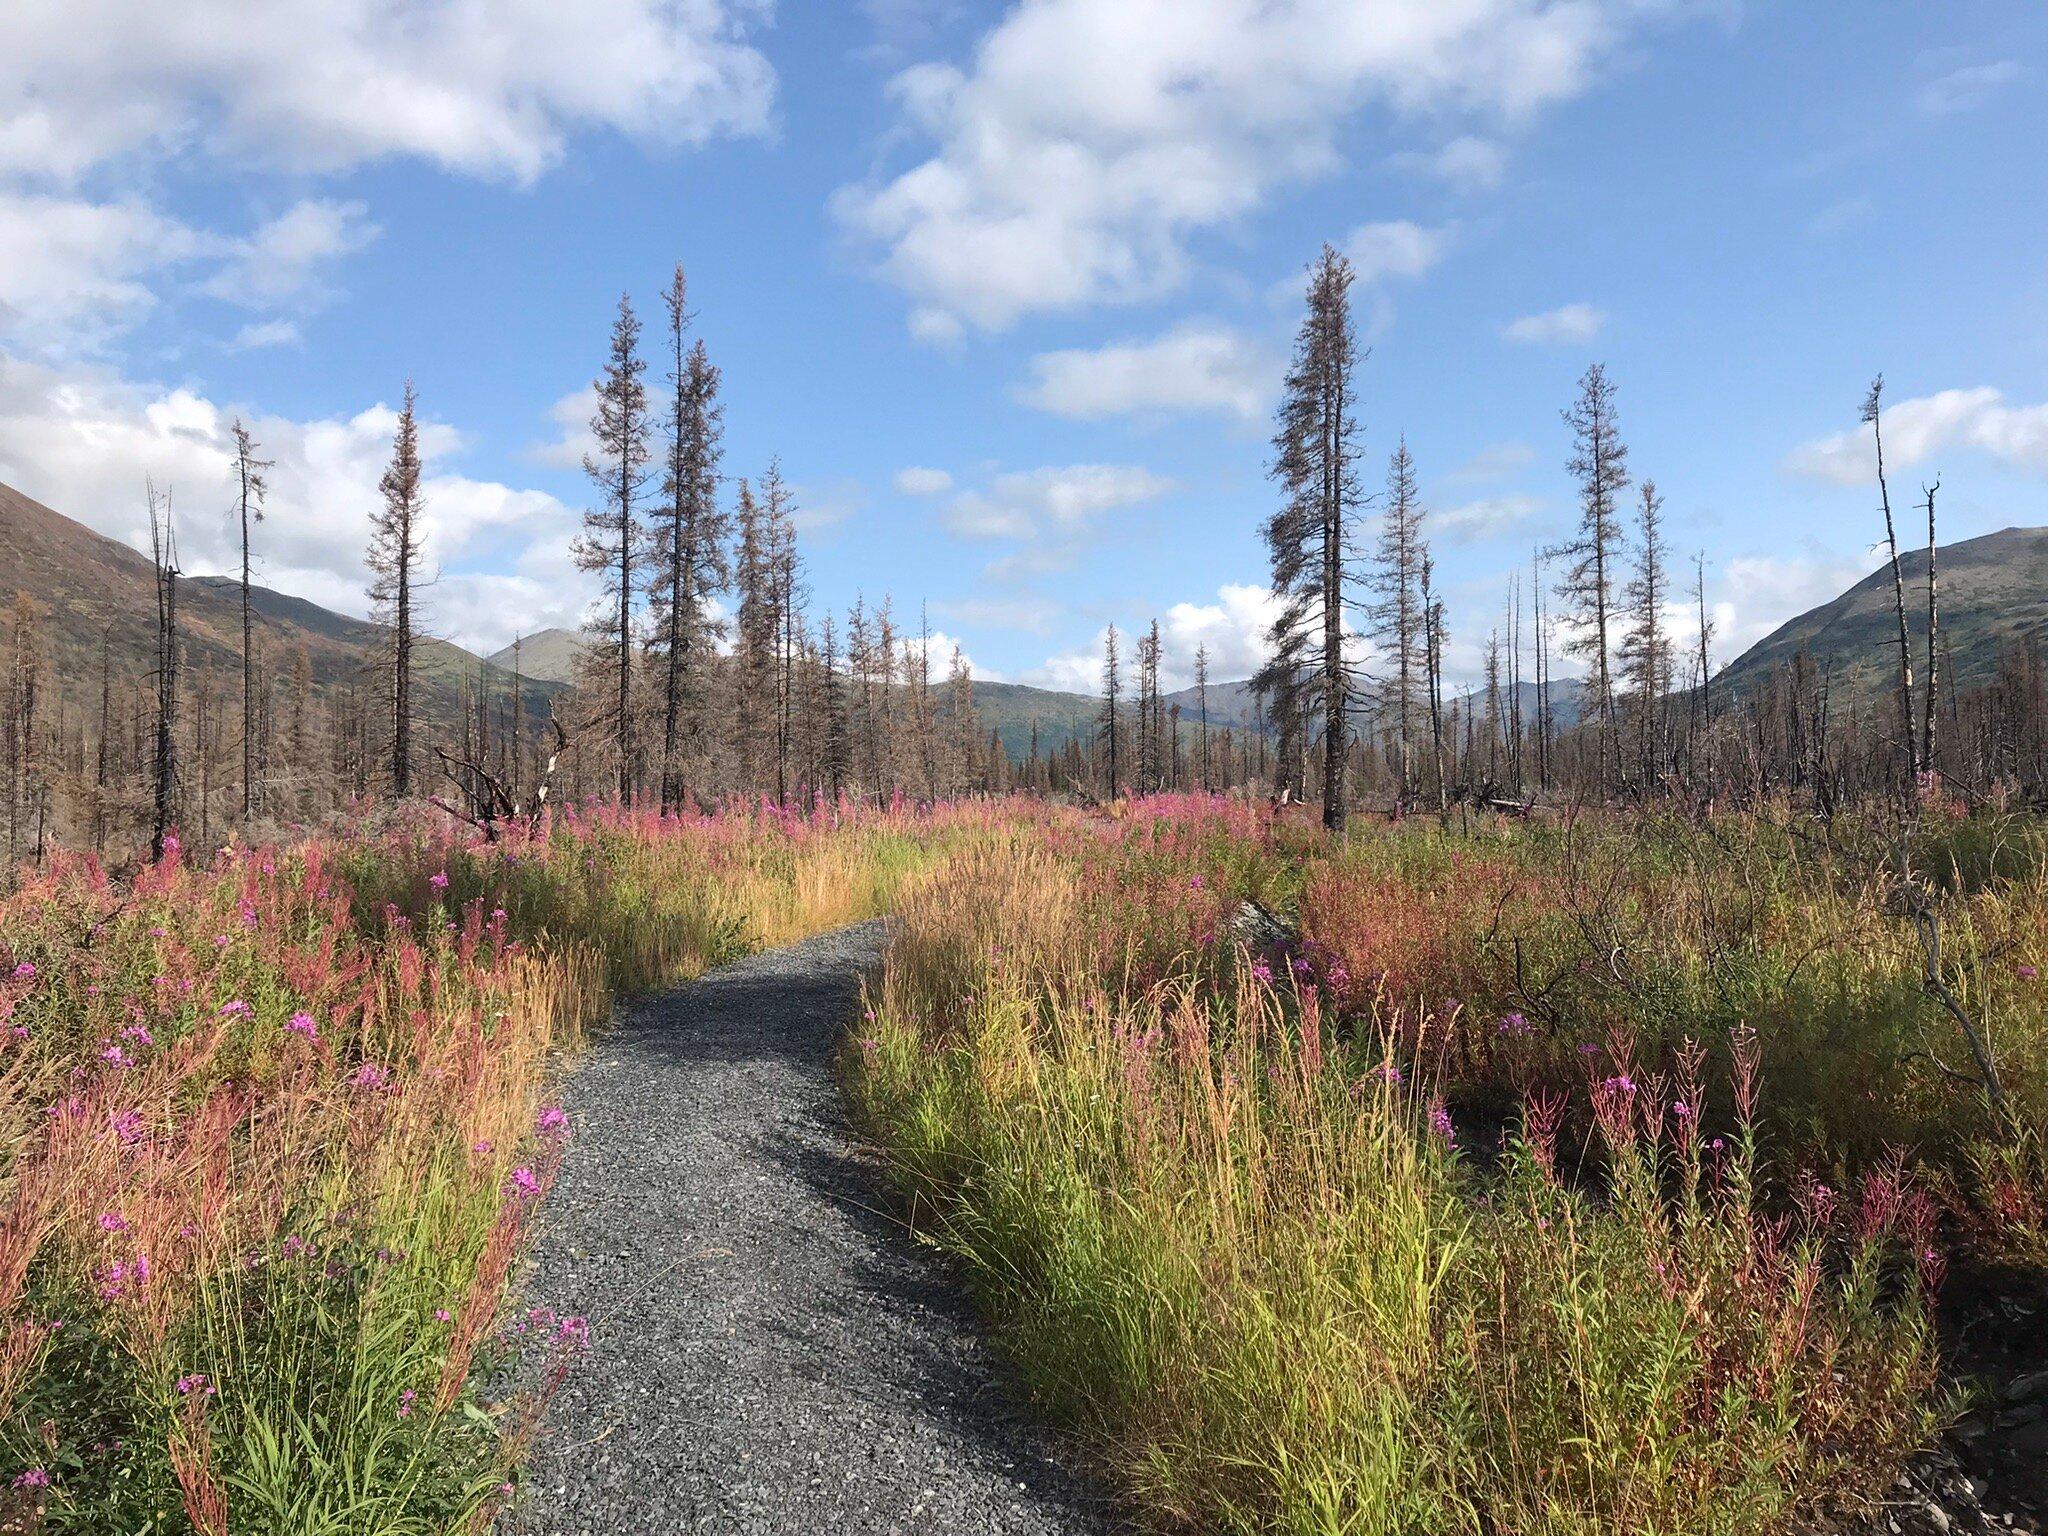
[(1195, 368)]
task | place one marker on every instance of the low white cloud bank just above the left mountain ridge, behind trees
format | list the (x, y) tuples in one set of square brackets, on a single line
[(85, 441)]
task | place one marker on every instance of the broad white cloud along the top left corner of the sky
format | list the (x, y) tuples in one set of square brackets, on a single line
[(327, 85)]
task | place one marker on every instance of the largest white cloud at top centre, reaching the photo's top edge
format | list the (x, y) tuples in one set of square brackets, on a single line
[(1086, 142)]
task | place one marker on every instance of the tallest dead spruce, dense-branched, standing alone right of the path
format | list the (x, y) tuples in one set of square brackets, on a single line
[(1316, 454)]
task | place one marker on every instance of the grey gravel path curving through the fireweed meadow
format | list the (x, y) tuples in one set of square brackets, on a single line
[(769, 1353)]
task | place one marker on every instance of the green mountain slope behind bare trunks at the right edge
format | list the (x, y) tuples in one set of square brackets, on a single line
[(1994, 593)]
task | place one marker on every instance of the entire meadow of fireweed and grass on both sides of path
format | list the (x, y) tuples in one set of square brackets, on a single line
[(1578, 1177)]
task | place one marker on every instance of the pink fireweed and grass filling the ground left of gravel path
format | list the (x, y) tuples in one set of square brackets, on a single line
[(275, 1134)]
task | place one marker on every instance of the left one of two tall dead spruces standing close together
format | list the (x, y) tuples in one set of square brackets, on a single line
[(613, 536)]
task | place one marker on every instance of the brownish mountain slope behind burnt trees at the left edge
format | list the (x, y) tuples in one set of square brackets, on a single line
[(95, 591)]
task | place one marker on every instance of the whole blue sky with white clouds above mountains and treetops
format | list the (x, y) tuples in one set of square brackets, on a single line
[(1009, 288)]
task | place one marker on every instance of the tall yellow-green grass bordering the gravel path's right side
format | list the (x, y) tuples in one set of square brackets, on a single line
[(1244, 1250)]
